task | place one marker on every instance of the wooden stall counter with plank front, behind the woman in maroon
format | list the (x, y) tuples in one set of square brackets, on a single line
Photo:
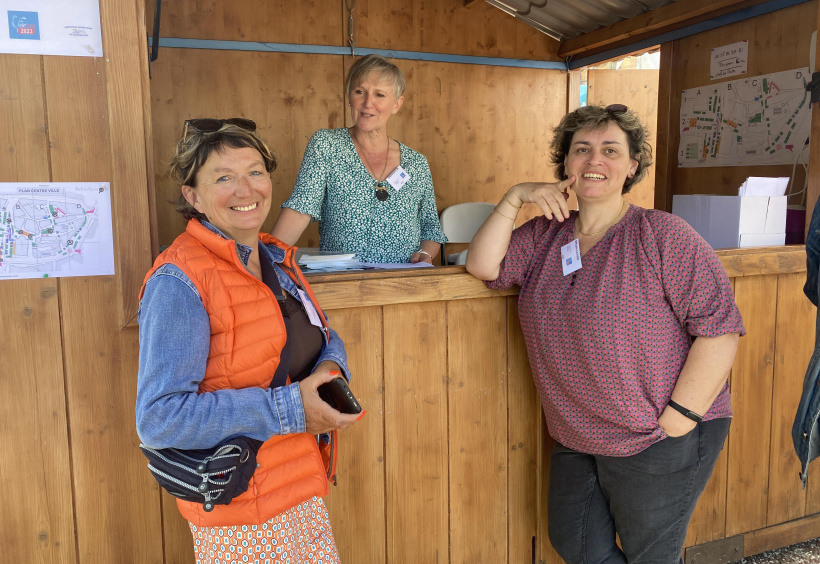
[(450, 464)]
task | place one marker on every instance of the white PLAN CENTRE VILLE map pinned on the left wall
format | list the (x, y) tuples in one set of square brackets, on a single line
[(55, 229)]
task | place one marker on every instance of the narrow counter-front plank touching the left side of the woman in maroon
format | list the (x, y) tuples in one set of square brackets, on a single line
[(523, 424)]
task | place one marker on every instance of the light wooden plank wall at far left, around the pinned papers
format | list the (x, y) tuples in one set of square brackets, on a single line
[(74, 488)]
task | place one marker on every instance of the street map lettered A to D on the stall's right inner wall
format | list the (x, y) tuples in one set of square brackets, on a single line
[(762, 120)]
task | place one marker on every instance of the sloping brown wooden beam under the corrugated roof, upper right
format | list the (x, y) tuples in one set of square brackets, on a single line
[(656, 22)]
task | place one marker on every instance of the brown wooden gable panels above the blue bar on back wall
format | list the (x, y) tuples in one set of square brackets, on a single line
[(419, 25)]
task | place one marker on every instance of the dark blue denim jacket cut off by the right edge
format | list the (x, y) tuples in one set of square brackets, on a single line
[(805, 434)]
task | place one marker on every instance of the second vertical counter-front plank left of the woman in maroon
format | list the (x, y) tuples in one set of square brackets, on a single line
[(478, 434)]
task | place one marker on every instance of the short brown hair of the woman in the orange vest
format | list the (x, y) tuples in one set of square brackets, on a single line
[(194, 148)]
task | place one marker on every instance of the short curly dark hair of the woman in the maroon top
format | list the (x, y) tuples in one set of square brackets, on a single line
[(598, 117)]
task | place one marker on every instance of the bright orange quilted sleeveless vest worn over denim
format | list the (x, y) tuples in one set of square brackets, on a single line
[(247, 337)]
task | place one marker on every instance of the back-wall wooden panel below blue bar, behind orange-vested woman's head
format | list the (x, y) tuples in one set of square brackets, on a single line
[(288, 95)]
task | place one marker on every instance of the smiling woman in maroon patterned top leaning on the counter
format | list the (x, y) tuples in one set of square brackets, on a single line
[(631, 330)]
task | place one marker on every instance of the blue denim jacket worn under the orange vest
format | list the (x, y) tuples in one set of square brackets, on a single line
[(174, 333)]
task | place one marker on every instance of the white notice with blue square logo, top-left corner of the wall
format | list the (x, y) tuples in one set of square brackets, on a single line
[(51, 27)]
